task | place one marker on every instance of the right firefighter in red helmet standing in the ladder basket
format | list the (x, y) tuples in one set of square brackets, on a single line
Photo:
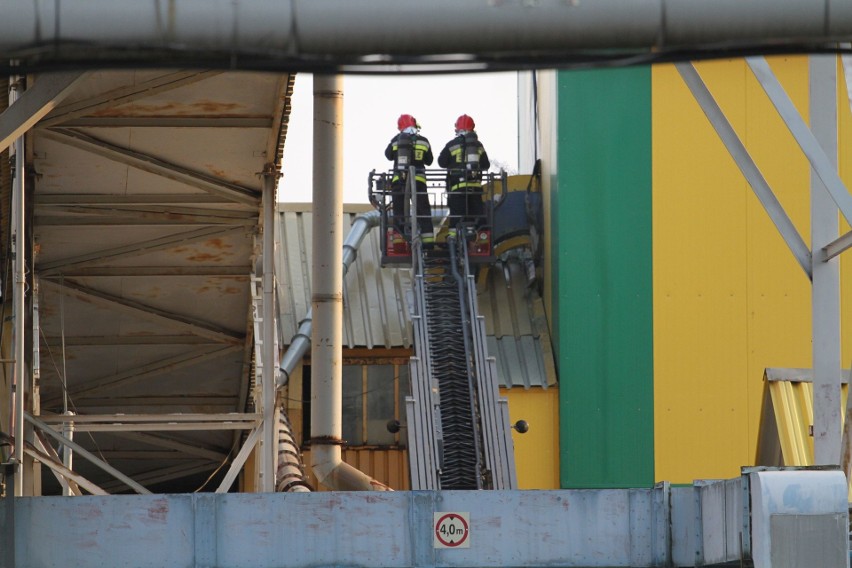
[(465, 159)]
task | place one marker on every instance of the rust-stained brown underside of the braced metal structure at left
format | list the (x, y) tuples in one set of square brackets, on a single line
[(145, 206)]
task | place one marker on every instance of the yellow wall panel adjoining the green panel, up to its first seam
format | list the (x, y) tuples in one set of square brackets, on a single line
[(700, 216)]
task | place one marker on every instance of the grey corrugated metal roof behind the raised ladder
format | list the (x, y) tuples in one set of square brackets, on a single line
[(376, 302)]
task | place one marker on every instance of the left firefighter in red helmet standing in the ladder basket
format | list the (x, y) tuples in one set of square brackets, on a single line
[(409, 148)]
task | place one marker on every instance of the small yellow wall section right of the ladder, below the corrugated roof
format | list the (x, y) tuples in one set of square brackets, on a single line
[(537, 451)]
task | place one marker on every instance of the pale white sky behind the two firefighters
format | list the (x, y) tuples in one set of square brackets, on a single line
[(371, 106)]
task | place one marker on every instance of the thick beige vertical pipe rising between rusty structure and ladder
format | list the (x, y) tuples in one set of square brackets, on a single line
[(327, 277)]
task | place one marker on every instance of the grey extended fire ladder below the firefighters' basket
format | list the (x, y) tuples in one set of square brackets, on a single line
[(458, 426)]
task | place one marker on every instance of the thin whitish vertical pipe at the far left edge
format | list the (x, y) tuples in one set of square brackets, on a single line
[(19, 299)]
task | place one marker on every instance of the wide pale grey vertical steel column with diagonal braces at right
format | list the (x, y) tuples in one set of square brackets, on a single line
[(825, 297)]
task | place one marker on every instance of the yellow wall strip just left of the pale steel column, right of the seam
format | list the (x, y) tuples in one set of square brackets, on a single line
[(779, 293)]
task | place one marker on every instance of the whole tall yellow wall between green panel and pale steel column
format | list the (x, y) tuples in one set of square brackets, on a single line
[(729, 299)]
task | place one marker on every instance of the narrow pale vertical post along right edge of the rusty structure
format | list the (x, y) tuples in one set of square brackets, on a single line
[(267, 440)]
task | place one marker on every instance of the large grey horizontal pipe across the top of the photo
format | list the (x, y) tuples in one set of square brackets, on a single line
[(334, 28)]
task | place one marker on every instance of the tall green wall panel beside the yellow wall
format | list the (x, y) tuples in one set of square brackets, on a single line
[(603, 278)]
